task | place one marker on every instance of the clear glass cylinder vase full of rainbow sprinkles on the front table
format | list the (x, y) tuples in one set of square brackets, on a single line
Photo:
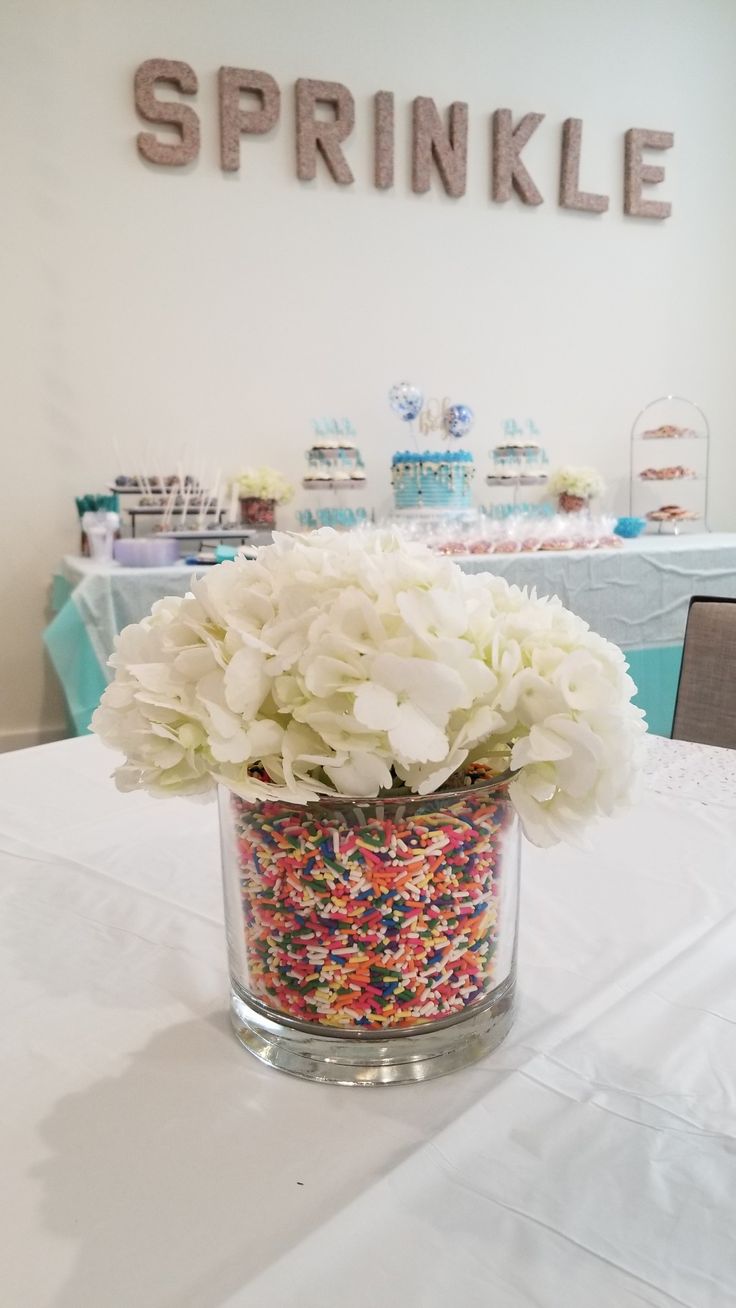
[(372, 942)]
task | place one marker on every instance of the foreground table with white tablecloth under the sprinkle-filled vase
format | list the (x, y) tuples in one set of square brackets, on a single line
[(150, 1161)]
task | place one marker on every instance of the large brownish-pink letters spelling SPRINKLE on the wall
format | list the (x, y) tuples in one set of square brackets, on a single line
[(325, 116)]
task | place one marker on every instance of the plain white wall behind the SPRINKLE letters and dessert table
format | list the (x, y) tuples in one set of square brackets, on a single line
[(189, 308)]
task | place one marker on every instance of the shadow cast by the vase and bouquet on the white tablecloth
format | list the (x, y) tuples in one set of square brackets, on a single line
[(197, 1169)]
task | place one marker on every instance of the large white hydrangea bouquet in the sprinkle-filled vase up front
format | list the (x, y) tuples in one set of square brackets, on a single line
[(359, 665)]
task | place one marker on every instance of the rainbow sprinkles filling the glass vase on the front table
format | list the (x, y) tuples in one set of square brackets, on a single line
[(380, 919)]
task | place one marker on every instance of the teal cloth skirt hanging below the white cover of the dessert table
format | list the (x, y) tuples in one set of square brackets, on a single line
[(84, 678)]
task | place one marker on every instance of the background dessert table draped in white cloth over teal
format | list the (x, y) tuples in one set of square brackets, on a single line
[(636, 596)]
